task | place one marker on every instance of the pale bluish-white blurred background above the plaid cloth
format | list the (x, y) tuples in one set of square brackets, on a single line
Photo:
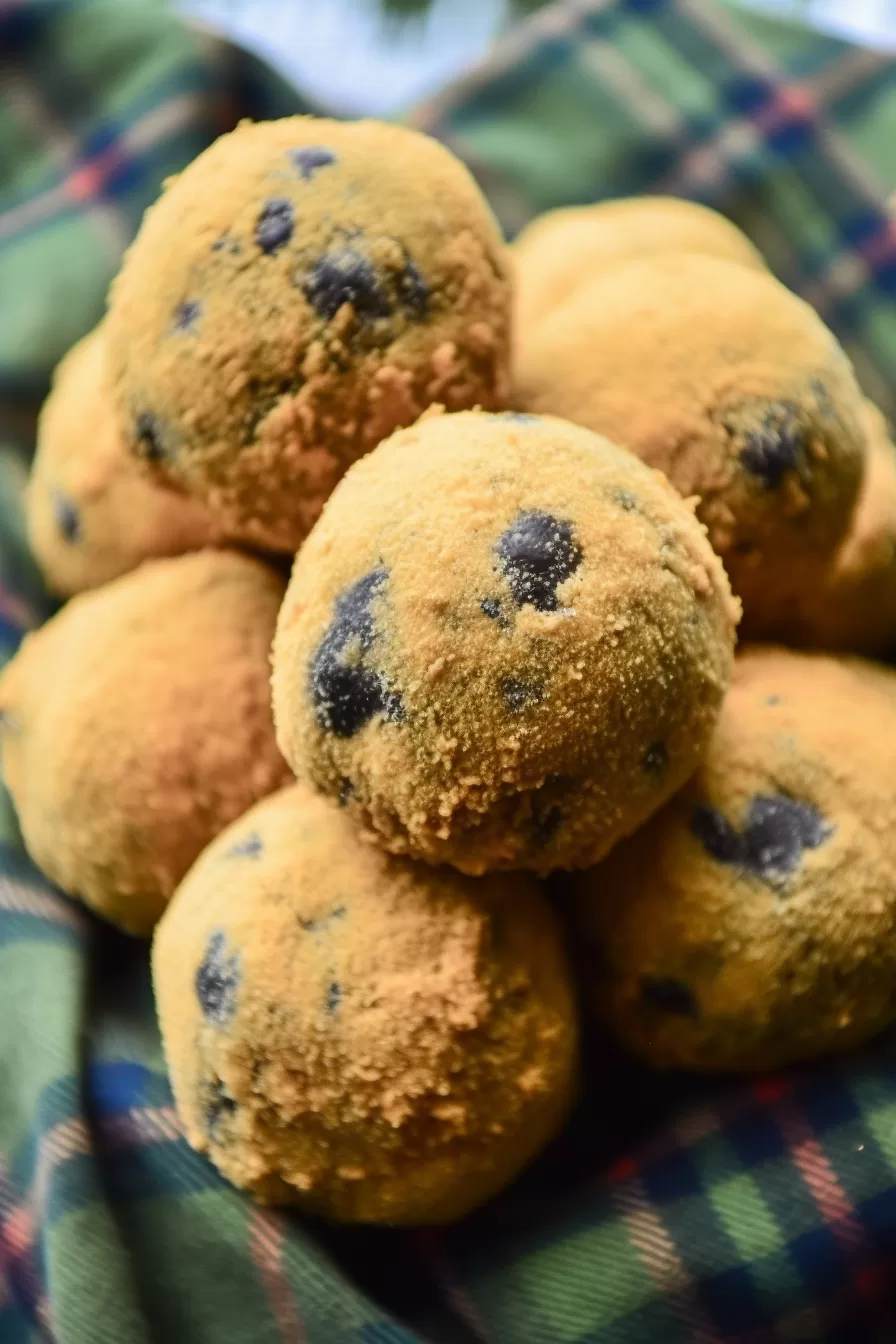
[(392, 53)]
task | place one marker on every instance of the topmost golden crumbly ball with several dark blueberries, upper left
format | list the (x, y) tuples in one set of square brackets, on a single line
[(300, 291)]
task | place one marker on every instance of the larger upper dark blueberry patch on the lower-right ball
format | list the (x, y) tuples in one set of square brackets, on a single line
[(777, 833)]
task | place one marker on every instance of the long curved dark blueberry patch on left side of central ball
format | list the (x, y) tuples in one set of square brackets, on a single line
[(349, 694)]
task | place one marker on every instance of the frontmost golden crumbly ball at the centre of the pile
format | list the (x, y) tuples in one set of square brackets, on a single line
[(504, 644)]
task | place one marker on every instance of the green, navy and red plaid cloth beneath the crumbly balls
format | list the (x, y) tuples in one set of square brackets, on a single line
[(672, 1212)]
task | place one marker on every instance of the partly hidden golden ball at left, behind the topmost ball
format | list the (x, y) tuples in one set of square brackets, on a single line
[(92, 514)]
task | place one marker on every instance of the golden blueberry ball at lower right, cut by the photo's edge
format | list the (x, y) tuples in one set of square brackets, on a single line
[(752, 923)]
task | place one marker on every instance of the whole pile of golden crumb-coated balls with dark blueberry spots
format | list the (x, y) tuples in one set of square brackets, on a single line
[(507, 650)]
